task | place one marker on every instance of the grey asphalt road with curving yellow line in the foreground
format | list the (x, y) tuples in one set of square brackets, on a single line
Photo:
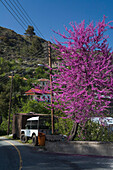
[(17, 156)]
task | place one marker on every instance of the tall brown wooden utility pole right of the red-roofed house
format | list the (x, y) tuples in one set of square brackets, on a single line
[(50, 65)]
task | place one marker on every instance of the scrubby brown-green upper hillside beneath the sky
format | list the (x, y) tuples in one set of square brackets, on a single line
[(25, 51)]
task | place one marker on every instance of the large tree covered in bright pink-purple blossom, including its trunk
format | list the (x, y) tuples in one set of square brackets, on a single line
[(84, 78)]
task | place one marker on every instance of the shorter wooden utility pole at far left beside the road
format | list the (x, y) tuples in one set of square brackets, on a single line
[(10, 103)]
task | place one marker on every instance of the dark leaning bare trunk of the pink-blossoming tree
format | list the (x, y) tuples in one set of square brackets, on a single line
[(73, 131)]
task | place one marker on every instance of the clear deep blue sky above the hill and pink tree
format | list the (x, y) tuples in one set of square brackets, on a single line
[(54, 14)]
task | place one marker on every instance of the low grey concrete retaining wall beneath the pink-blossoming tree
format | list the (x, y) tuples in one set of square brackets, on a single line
[(81, 147)]
